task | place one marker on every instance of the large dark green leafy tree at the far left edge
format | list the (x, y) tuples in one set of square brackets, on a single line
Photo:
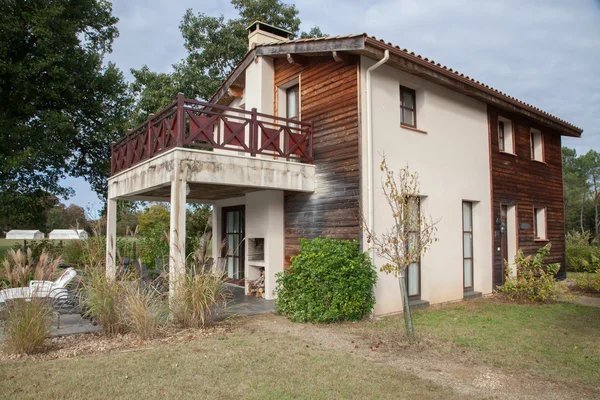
[(60, 107)]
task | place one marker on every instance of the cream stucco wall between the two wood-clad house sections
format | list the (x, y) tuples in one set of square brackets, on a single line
[(452, 160)]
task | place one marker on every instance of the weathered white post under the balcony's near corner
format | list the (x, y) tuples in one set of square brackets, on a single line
[(177, 230)]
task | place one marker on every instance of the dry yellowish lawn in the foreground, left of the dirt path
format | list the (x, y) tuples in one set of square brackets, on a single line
[(248, 365)]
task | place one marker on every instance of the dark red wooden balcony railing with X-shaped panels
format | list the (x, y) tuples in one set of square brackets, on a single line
[(196, 124)]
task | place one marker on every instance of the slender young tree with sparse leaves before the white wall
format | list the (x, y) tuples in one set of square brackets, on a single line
[(410, 236)]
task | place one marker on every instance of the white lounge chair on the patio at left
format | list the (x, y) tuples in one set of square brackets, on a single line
[(56, 290)]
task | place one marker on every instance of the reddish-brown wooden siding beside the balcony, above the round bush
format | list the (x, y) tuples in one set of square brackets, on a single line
[(328, 98)]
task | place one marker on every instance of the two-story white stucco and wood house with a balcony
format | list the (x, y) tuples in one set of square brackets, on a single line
[(289, 147)]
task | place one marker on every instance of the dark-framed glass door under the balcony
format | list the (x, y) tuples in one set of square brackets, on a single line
[(233, 224)]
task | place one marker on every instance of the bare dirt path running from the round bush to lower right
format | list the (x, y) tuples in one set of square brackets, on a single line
[(424, 361)]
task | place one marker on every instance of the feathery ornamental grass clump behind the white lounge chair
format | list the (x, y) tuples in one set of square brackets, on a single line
[(19, 267)]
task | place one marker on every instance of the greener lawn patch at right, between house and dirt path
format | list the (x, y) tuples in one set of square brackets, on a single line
[(560, 341)]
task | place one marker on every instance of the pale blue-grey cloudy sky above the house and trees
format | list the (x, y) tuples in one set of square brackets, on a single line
[(544, 52)]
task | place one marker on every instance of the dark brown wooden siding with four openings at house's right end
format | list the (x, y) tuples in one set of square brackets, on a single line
[(518, 180)]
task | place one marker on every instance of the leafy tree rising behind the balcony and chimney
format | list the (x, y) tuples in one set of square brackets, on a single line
[(215, 46)]
